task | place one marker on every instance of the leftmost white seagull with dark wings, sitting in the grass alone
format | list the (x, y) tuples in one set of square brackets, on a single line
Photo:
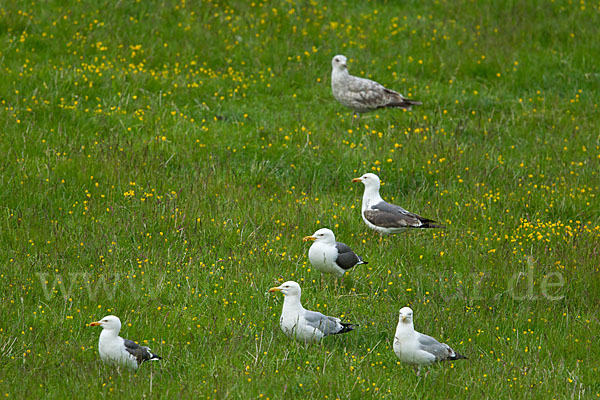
[(114, 349)]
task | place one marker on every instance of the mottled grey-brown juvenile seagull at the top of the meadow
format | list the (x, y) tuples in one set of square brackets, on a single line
[(363, 95)]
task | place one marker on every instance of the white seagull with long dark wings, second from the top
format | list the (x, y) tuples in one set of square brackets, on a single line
[(385, 217)]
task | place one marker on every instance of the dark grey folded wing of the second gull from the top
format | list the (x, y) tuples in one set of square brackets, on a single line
[(392, 216)]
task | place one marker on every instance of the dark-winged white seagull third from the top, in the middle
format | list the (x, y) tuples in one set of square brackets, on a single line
[(329, 256)]
